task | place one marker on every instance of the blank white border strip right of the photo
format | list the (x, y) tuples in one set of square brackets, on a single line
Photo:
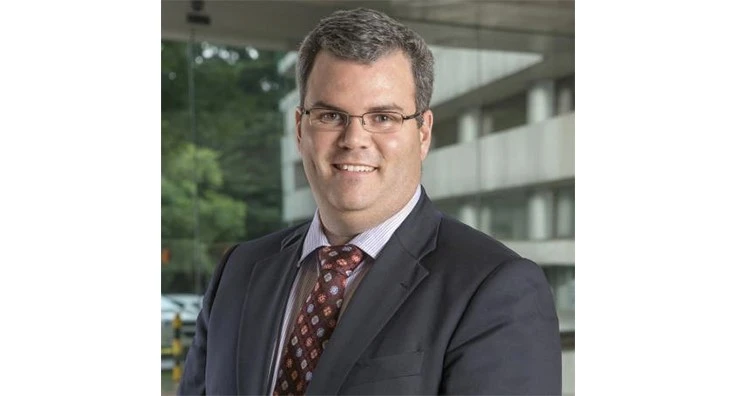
[(655, 198)]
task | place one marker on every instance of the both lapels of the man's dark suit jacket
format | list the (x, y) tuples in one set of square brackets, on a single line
[(397, 271)]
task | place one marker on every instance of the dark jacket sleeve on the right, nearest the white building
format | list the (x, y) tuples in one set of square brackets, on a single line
[(508, 340)]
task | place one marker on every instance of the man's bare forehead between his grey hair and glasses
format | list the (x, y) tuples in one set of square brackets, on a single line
[(356, 86)]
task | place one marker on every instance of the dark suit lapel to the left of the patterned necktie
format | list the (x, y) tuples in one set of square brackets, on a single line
[(263, 309)]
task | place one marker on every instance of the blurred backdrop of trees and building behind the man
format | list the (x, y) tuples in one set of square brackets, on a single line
[(502, 157)]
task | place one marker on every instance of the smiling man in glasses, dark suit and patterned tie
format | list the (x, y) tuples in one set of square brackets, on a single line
[(380, 293)]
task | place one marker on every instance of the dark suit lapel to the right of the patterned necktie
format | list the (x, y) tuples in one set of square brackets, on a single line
[(392, 278)]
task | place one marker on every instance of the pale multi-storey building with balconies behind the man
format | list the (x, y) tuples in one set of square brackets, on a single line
[(502, 160)]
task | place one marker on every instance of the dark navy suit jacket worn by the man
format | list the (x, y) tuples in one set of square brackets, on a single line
[(444, 309)]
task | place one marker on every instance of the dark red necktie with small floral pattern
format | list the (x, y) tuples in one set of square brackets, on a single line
[(316, 319)]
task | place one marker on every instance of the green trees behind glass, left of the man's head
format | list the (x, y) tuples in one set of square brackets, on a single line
[(237, 146)]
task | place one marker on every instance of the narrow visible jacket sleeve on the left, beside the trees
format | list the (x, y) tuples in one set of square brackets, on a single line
[(193, 378)]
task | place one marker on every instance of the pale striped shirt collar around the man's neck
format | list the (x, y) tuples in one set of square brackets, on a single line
[(370, 241)]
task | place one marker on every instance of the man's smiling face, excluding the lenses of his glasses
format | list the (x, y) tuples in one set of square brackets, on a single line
[(384, 168)]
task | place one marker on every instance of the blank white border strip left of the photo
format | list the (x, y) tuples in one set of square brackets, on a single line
[(80, 163)]
